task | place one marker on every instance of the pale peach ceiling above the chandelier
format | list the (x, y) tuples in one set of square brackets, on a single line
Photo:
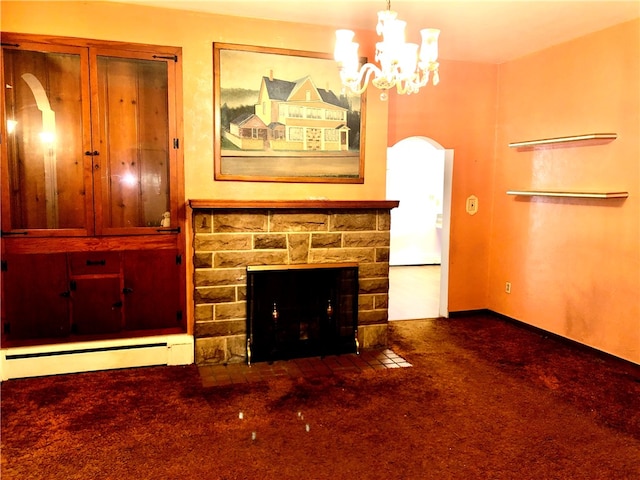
[(472, 30)]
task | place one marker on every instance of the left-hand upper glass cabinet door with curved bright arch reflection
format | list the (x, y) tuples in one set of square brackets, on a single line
[(46, 125)]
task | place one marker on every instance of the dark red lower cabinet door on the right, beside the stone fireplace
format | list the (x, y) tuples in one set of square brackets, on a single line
[(152, 289)]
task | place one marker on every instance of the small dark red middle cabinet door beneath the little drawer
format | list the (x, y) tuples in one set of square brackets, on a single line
[(97, 305)]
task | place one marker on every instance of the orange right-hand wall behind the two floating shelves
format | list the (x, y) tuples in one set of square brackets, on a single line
[(574, 265)]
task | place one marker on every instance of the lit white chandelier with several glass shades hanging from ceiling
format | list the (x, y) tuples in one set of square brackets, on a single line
[(401, 64)]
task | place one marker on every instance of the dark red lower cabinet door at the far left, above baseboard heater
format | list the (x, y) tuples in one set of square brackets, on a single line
[(35, 296)]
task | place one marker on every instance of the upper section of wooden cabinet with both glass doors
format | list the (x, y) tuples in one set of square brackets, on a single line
[(91, 137)]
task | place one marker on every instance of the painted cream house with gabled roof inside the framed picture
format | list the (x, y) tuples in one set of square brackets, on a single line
[(292, 116)]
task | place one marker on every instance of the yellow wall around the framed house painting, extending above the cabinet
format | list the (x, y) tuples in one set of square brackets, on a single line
[(195, 33)]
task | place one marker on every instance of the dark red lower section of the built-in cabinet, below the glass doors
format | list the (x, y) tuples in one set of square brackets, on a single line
[(64, 296)]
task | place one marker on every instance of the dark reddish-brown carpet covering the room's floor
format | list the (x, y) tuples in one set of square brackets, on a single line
[(484, 399)]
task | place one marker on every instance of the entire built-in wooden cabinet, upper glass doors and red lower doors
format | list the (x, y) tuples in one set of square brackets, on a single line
[(92, 188)]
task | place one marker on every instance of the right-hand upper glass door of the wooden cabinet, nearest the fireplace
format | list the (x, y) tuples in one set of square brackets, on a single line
[(135, 151)]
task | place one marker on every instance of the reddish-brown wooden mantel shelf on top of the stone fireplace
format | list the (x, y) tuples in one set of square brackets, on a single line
[(290, 204)]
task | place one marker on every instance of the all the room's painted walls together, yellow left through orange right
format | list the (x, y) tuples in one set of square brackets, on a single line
[(574, 265)]
